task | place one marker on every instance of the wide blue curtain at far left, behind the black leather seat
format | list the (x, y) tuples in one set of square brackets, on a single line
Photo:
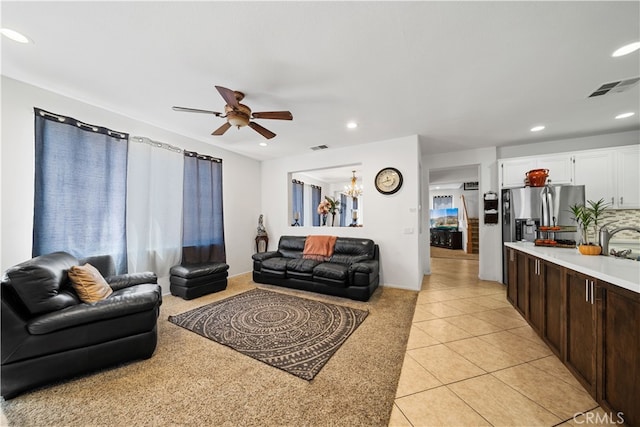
[(80, 189)]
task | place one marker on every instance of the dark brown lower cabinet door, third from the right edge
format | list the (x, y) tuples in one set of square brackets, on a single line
[(553, 307)]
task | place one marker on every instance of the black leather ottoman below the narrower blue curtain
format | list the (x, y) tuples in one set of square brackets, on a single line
[(190, 281)]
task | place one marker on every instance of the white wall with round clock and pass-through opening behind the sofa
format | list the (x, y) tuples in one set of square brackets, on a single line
[(391, 221)]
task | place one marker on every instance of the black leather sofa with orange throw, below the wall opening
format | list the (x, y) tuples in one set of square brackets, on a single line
[(352, 271)]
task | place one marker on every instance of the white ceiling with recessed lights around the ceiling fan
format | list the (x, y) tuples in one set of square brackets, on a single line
[(460, 75)]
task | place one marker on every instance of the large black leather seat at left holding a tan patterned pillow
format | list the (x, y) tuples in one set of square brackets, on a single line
[(48, 334)]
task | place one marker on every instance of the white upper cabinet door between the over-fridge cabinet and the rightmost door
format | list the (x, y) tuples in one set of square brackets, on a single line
[(595, 170)]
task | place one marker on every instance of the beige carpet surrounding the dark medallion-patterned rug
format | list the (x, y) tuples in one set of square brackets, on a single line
[(193, 381)]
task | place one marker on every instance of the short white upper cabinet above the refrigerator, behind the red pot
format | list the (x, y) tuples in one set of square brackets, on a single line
[(513, 171)]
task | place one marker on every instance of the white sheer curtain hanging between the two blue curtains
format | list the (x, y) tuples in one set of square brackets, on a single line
[(154, 206)]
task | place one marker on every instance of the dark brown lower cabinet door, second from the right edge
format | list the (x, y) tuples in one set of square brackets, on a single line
[(580, 354)]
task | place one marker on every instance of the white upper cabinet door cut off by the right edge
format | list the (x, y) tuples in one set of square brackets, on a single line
[(628, 160)]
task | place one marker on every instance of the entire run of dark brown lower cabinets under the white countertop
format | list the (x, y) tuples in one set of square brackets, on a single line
[(592, 326)]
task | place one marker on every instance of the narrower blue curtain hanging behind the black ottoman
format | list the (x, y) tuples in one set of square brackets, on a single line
[(203, 222)]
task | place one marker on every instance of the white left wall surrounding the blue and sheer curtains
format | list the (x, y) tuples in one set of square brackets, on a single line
[(241, 198)]
